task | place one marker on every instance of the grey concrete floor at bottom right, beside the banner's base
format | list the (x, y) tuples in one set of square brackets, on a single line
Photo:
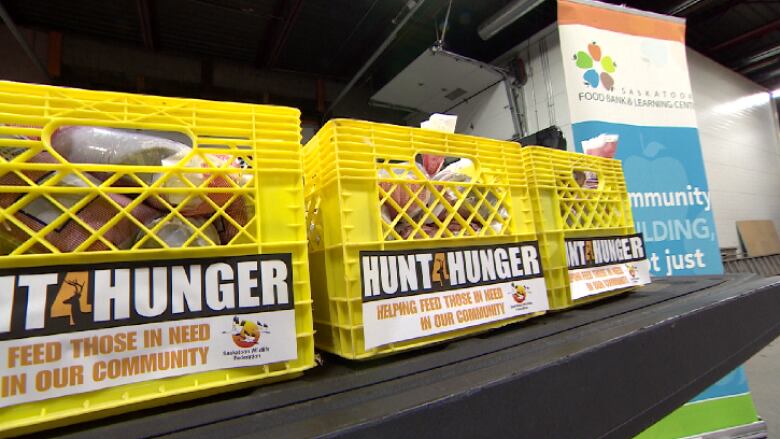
[(763, 371)]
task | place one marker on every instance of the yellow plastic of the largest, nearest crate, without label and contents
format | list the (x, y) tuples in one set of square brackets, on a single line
[(265, 138)]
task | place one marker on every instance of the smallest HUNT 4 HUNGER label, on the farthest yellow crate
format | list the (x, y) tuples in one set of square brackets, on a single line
[(599, 265)]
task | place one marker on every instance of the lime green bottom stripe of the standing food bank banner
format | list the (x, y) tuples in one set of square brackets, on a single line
[(704, 416)]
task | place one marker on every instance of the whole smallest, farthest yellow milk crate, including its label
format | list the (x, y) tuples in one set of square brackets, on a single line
[(583, 221)]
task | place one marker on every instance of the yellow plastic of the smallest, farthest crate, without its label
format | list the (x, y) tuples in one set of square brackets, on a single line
[(566, 209)]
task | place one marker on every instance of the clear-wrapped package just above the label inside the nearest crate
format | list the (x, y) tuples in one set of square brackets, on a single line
[(174, 232)]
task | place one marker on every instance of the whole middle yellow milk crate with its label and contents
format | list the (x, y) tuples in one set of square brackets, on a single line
[(402, 256)]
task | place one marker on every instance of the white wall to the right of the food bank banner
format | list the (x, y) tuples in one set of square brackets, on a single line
[(740, 145)]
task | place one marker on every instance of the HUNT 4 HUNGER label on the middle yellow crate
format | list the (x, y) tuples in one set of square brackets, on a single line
[(417, 293)]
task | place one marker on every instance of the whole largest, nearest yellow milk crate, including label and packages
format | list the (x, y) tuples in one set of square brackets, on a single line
[(125, 284)]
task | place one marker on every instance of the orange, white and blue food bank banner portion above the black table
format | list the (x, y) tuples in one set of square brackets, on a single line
[(629, 97)]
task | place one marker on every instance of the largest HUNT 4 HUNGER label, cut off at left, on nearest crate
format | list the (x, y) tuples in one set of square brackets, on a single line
[(67, 330)]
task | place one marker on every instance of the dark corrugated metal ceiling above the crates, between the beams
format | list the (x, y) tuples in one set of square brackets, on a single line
[(334, 37)]
